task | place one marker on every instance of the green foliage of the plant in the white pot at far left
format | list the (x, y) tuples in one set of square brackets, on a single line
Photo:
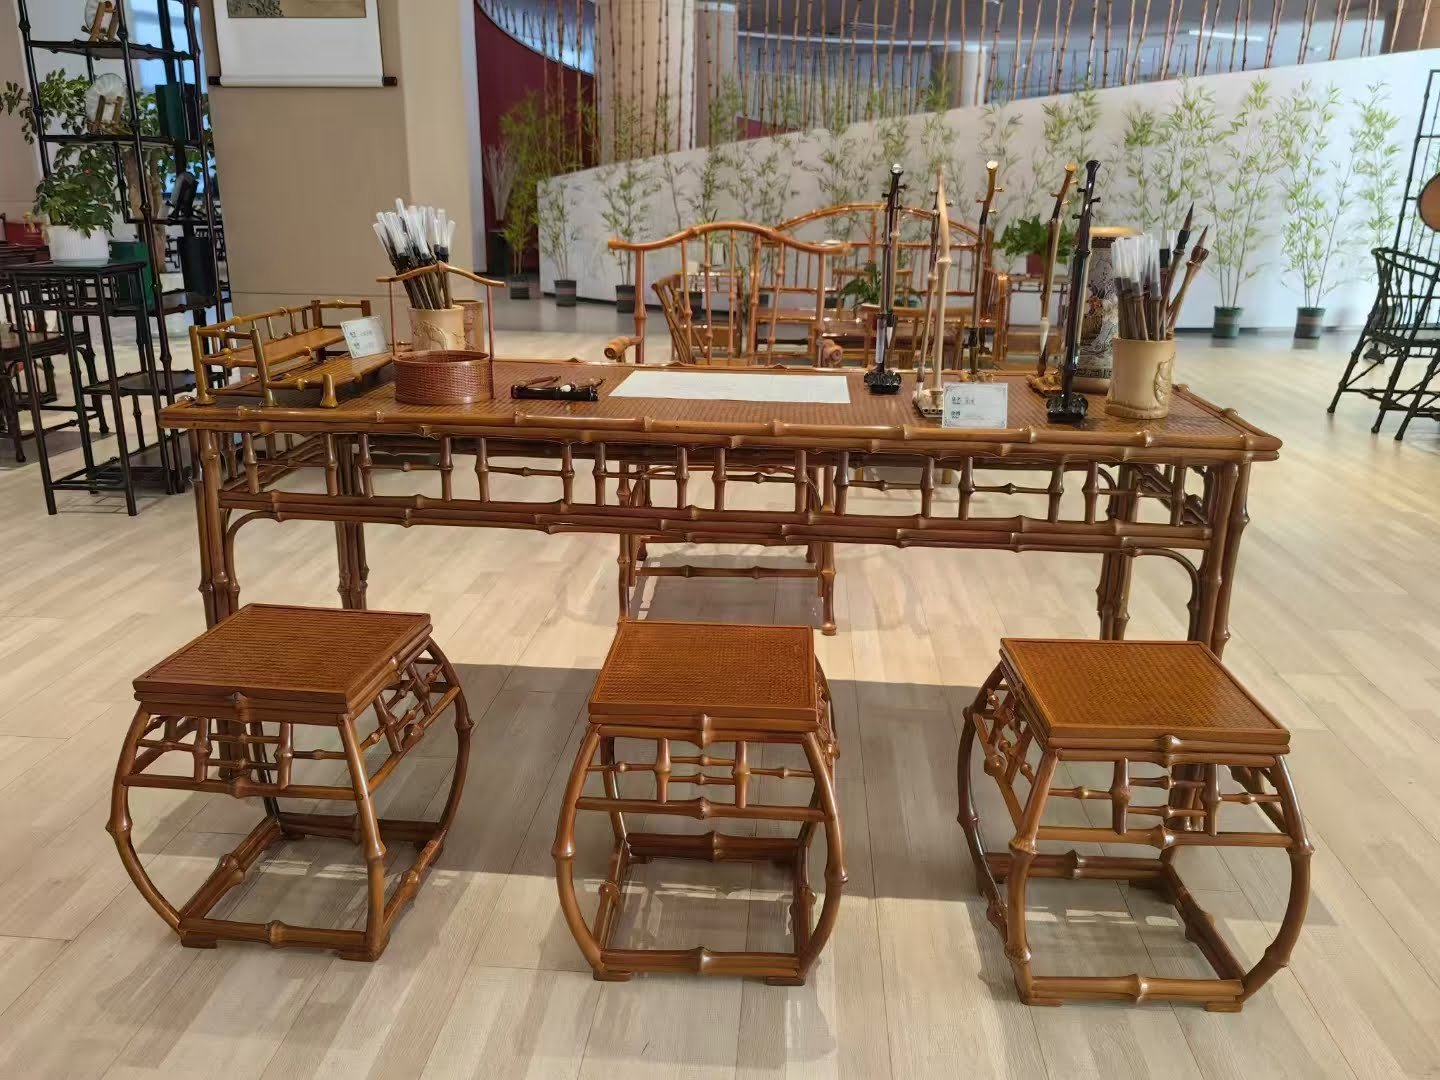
[(81, 191)]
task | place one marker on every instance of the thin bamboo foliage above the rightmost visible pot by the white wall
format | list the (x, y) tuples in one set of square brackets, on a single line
[(1315, 191)]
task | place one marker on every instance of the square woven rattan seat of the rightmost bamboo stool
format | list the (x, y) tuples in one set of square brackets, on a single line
[(1122, 690)]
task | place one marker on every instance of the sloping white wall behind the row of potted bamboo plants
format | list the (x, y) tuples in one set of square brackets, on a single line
[(1269, 300)]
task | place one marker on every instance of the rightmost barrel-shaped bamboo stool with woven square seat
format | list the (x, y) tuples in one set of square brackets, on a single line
[(1171, 705)]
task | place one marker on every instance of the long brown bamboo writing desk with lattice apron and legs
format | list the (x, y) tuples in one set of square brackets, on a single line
[(1115, 489)]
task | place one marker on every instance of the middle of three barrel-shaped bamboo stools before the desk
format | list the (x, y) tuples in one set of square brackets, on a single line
[(706, 685)]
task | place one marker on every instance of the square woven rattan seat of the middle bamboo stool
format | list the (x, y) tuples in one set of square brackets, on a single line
[(705, 669)]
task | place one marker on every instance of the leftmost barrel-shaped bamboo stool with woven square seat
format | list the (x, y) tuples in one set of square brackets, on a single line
[(258, 680)]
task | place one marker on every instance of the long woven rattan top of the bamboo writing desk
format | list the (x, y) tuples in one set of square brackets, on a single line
[(1193, 423)]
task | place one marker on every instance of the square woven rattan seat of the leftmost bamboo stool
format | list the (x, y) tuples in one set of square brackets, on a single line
[(277, 653)]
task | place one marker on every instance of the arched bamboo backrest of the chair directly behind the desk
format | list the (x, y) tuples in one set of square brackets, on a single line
[(737, 286)]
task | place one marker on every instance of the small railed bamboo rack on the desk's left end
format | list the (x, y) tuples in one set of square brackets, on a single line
[(287, 349)]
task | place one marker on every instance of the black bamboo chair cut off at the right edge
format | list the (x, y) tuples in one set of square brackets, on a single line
[(1403, 323)]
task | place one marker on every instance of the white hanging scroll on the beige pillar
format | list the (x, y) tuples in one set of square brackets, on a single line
[(299, 42)]
